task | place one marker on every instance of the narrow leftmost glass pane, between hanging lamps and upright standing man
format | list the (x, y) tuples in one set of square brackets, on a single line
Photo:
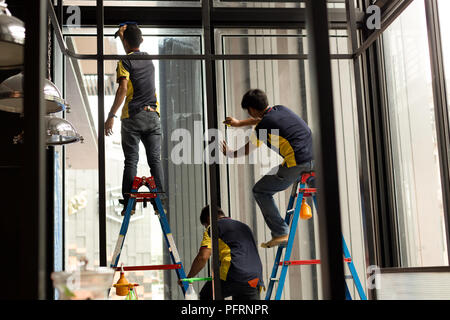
[(81, 169)]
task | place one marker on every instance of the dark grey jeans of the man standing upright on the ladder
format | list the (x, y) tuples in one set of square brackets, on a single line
[(146, 127)]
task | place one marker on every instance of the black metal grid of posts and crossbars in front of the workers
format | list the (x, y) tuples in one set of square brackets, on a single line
[(214, 18)]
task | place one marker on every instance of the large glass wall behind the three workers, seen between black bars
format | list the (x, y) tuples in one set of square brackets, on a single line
[(180, 90)]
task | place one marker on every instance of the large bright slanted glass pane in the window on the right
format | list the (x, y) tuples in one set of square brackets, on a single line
[(416, 164)]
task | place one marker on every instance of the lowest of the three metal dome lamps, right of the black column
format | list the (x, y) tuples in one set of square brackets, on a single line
[(60, 131)]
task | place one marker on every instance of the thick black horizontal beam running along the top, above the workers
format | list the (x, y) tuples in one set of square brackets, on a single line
[(221, 17)]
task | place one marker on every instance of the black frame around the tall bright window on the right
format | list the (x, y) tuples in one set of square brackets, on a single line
[(384, 216)]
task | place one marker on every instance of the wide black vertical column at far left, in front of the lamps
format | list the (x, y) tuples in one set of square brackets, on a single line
[(32, 231)]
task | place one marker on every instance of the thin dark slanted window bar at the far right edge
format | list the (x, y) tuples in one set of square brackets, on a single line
[(440, 106)]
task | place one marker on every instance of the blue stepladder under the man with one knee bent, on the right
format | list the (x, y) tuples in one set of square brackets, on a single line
[(292, 217)]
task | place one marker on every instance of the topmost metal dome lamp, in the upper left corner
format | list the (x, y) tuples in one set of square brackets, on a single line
[(12, 39)]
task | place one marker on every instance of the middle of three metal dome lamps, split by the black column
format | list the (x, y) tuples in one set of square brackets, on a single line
[(11, 96)]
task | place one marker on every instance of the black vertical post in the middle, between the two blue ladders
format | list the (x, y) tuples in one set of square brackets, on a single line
[(211, 104)]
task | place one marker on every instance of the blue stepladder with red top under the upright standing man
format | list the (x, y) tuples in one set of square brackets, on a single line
[(136, 196)]
